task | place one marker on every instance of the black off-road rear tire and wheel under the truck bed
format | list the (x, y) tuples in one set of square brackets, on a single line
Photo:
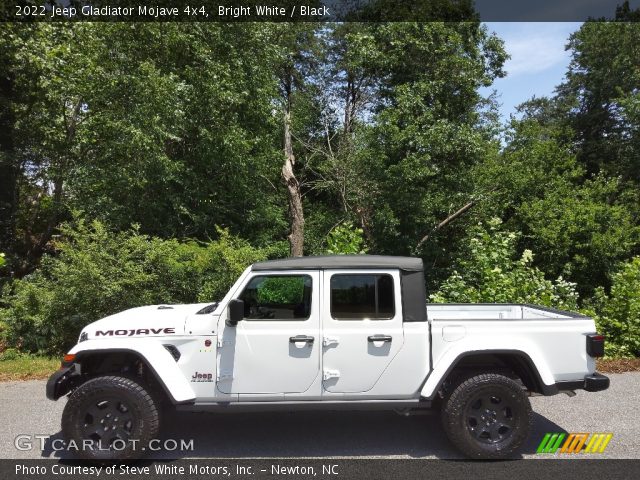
[(487, 416)]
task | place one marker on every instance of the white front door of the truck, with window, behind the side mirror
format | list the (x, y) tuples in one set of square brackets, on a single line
[(276, 347)]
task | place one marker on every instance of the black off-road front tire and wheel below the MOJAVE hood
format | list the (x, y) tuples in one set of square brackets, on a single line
[(106, 409)]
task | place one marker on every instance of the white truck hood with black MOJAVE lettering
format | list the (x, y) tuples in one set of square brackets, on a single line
[(152, 320)]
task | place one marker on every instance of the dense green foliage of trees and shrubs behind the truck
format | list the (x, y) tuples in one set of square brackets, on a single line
[(151, 162)]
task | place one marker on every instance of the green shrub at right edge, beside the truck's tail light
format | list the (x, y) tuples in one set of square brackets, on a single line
[(618, 313)]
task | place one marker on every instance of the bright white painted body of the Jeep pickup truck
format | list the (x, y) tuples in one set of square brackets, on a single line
[(255, 361)]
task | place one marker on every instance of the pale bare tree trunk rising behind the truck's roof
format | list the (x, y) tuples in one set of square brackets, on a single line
[(296, 214)]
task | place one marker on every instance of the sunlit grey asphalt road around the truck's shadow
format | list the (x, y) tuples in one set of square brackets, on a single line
[(26, 411)]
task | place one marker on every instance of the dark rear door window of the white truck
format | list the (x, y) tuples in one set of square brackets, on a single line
[(356, 297)]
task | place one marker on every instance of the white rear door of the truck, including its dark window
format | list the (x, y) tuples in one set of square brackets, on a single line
[(362, 327)]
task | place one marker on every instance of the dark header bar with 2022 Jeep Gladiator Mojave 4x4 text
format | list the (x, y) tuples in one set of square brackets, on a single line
[(316, 10)]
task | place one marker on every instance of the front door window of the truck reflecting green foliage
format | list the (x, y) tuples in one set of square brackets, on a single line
[(277, 297)]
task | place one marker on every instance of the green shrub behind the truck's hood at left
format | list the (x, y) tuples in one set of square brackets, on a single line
[(96, 272)]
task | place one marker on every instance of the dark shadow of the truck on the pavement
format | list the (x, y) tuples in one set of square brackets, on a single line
[(313, 434)]
